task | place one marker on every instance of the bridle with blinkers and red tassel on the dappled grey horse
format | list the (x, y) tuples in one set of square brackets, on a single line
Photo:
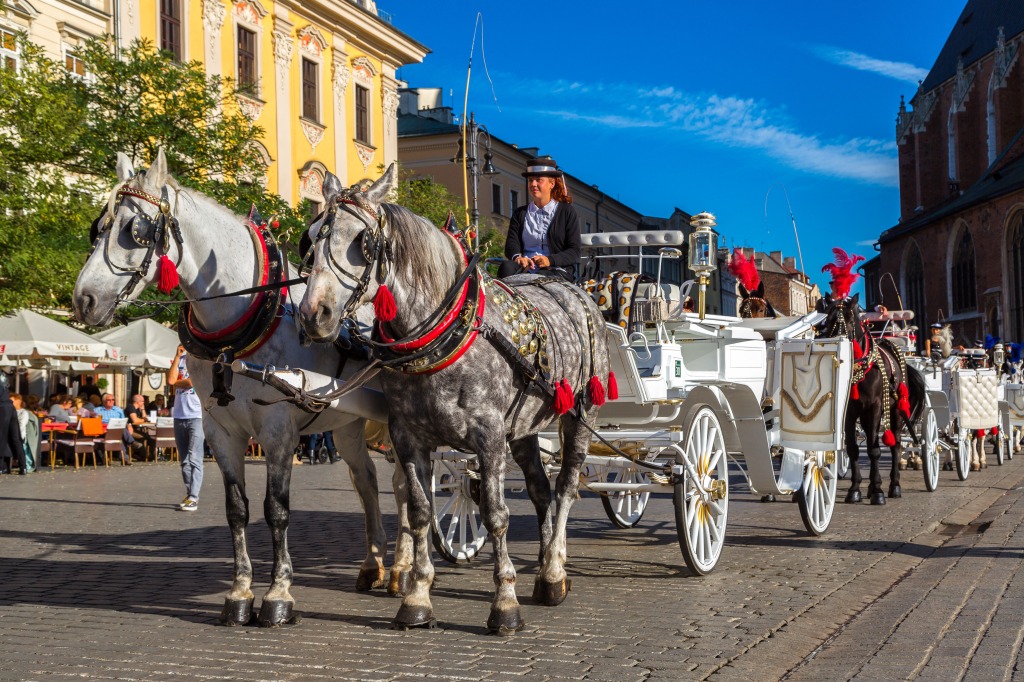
[(375, 245)]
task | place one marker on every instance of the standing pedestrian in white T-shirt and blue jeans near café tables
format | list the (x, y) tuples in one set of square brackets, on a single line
[(188, 415)]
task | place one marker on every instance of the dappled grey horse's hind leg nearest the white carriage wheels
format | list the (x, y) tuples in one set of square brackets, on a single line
[(552, 585)]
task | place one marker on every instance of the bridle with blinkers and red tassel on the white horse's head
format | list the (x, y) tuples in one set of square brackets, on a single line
[(146, 232)]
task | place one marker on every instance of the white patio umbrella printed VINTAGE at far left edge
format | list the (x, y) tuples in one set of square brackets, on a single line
[(28, 335)]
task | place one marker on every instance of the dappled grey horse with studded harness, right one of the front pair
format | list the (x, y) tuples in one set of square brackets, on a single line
[(459, 352)]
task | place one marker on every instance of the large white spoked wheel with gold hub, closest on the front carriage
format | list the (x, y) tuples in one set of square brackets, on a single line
[(702, 494)]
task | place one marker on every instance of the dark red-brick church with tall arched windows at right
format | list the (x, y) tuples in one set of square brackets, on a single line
[(957, 254)]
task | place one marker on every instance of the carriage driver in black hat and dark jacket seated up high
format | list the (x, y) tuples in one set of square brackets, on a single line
[(544, 235)]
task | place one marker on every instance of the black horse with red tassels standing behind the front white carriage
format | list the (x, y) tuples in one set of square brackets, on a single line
[(885, 395)]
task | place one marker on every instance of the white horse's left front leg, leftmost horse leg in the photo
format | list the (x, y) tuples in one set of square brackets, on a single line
[(230, 453)]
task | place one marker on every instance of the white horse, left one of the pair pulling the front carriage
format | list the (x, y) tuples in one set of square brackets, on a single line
[(218, 252)]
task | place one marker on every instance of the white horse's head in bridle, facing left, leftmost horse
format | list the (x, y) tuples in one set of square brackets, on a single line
[(134, 233)]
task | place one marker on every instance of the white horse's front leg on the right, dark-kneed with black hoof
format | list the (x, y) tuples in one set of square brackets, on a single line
[(278, 606)]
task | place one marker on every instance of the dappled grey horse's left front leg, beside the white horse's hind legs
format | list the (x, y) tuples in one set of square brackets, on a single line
[(416, 610)]
